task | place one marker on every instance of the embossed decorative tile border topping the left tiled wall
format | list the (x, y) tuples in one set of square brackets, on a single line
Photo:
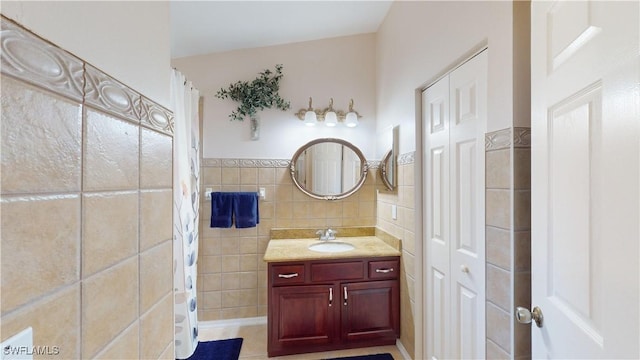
[(29, 58)]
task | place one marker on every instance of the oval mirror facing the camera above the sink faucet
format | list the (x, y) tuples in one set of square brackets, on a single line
[(328, 169)]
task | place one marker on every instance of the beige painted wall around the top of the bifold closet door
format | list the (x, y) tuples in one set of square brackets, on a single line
[(420, 41)]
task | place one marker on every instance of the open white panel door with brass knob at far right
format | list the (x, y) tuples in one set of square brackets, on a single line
[(586, 179)]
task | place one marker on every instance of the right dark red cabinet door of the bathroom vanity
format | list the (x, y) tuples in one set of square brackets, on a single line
[(370, 311)]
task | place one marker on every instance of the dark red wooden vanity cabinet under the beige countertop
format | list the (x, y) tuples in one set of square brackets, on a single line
[(322, 305)]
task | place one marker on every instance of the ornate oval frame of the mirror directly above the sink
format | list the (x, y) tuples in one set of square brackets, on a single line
[(364, 169)]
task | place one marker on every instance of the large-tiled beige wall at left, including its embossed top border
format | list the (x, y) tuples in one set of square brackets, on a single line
[(86, 208)]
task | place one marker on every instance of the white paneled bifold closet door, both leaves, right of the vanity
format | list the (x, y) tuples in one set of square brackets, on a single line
[(454, 123)]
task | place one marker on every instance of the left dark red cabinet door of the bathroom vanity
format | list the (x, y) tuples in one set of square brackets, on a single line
[(302, 316)]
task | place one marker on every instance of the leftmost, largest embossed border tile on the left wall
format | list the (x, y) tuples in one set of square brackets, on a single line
[(31, 59)]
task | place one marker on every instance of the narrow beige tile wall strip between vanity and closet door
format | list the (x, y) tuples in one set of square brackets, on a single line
[(403, 228)]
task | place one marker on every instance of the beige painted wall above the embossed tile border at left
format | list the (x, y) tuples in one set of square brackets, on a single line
[(112, 36)]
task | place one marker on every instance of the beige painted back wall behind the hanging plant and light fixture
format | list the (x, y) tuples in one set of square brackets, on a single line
[(339, 68)]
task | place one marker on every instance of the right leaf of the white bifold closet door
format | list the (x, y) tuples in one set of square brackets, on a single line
[(468, 119)]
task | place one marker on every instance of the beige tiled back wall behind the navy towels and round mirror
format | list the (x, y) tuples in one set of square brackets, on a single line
[(232, 279)]
